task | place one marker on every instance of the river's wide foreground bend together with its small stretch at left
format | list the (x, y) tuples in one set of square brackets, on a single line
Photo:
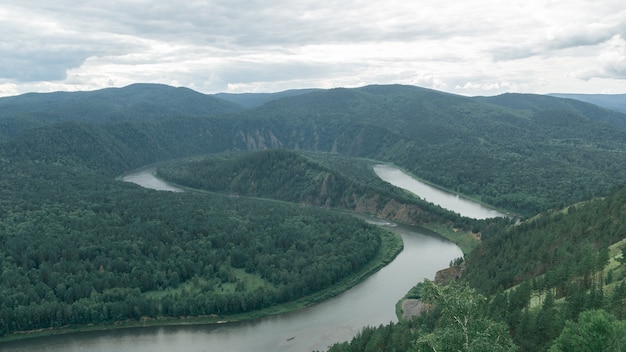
[(338, 319)]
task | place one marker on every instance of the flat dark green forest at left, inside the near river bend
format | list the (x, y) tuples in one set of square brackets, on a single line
[(80, 248)]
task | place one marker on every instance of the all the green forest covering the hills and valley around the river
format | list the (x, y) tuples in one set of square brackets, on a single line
[(276, 179)]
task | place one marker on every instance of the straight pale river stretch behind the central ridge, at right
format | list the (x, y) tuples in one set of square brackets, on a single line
[(460, 205)]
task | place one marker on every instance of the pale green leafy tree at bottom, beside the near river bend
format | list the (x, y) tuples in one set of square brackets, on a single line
[(464, 325)]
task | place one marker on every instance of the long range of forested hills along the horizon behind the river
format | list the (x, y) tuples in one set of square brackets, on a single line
[(518, 158)]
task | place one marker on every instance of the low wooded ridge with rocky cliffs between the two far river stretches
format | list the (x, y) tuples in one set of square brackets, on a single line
[(301, 178)]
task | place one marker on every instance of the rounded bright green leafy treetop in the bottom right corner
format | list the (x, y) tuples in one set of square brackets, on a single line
[(596, 331)]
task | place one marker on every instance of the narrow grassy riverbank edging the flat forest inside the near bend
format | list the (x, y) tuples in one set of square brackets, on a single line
[(391, 246)]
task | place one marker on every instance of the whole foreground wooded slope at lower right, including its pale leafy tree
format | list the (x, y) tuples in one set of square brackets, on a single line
[(555, 282)]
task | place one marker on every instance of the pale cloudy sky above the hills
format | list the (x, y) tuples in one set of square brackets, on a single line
[(471, 47)]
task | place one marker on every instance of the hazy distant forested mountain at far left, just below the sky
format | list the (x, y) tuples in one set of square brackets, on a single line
[(134, 102)]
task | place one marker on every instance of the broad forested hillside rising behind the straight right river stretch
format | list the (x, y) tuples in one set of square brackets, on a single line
[(521, 160)]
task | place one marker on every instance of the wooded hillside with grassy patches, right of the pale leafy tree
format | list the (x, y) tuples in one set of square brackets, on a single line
[(562, 265)]
